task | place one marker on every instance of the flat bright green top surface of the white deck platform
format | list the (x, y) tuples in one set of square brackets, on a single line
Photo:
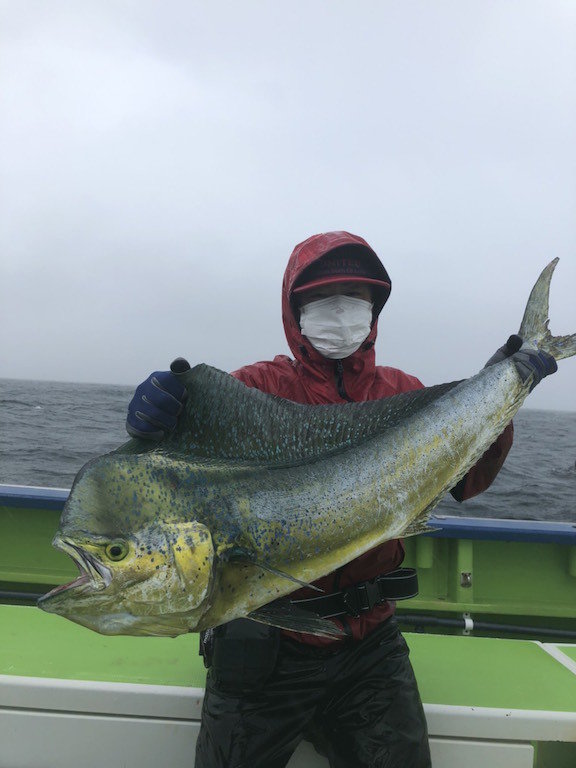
[(464, 671)]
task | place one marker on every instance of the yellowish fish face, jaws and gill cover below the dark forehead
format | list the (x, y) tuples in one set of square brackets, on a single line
[(157, 581)]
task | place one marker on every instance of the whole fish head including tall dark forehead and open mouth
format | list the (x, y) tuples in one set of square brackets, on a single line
[(145, 567)]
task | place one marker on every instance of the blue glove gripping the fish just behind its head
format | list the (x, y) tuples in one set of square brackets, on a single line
[(154, 409)]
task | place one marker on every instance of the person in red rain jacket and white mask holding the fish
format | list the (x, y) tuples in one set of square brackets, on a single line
[(355, 697)]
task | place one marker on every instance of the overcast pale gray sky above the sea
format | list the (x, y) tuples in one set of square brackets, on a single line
[(159, 161)]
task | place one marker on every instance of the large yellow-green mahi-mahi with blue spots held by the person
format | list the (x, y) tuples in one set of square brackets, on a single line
[(253, 495)]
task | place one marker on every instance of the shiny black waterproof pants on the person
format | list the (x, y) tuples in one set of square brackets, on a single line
[(359, 705)]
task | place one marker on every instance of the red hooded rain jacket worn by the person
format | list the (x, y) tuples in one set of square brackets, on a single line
[(313, 379)]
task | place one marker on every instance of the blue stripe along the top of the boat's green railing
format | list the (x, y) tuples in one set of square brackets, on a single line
[(30, 497)]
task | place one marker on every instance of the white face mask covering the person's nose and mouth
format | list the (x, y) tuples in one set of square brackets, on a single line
[(336, 326)]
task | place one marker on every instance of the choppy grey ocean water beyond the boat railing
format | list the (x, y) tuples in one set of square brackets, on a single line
[(48, 430)]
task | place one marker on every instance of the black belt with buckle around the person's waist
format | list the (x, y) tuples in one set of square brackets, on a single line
[(400, 584)]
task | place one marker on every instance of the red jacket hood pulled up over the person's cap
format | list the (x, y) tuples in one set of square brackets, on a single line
[(303, 256)]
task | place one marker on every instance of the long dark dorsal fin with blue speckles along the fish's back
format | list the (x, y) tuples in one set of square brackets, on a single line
[(224, 419)]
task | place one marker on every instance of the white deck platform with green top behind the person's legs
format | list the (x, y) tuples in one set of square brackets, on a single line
[(513, 697)]
